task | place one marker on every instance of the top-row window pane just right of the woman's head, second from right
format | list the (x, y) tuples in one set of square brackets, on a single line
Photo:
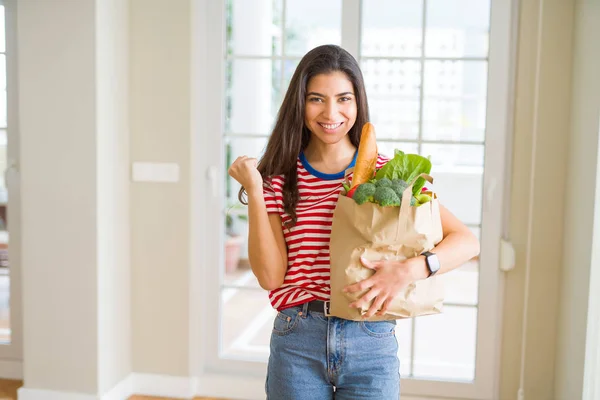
[(392, 28)]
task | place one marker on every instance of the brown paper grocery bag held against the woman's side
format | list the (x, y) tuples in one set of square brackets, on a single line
[(394, 233)]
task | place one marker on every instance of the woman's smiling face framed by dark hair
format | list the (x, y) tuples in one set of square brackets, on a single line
[(330, 108)]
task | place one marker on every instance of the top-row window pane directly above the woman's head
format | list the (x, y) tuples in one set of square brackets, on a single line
[(311, 23)]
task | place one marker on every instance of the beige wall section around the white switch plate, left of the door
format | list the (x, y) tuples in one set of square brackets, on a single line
[(160, 57)]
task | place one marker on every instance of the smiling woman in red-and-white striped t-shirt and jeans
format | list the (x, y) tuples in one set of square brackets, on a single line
[(291, 196)]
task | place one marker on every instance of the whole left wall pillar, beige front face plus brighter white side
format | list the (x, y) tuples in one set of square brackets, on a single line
[(74, 165)]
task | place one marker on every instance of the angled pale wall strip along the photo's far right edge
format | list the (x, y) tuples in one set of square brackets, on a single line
[(581, 206)]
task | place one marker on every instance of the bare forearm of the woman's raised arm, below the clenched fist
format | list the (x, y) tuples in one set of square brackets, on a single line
[(267, 250)]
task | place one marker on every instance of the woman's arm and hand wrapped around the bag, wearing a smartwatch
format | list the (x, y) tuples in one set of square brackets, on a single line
[(458, 246)]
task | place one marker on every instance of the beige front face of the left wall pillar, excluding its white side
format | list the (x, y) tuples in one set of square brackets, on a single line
[(57, 93)]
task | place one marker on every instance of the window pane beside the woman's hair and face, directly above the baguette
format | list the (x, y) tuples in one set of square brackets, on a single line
[(393, 90)]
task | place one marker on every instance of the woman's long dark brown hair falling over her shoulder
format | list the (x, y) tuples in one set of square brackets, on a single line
[(290, 135)]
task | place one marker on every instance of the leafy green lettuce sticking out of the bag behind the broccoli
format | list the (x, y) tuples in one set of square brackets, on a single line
[(406, 167)]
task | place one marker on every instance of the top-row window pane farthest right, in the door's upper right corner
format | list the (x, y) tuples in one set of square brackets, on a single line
[(457, 28)]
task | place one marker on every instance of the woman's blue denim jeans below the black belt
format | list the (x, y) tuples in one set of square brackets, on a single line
[(315, 357)]
